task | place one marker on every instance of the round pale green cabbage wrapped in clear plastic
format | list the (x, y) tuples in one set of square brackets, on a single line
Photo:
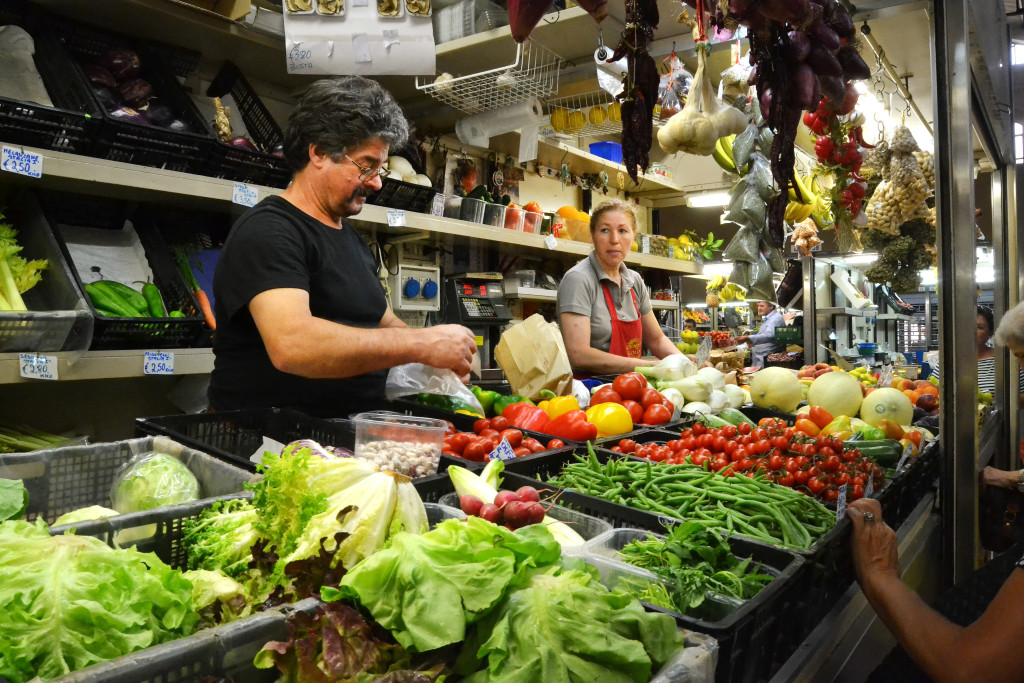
[(153, 480)]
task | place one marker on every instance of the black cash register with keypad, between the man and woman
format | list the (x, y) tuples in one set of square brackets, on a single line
[(478, 302)]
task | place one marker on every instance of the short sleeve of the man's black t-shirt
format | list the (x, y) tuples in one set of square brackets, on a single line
[(265, 255)]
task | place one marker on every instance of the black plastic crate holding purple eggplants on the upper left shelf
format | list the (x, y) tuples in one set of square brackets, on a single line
[(134, 143)]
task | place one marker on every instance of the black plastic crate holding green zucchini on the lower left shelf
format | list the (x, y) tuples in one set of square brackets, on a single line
[(126, 333)]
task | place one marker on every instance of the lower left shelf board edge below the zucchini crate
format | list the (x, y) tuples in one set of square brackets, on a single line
[(108, 365)]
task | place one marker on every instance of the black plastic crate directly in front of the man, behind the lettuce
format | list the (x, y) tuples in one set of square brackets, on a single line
[(235, 436)]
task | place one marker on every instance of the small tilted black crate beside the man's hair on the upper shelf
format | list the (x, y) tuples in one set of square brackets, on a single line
[(244, 165)]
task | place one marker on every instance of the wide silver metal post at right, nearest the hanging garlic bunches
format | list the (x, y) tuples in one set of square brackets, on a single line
[(955, 214)]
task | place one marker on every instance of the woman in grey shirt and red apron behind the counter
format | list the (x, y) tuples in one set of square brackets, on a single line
[(604, 308)]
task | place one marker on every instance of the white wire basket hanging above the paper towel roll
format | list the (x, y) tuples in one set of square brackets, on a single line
[(533, 74)]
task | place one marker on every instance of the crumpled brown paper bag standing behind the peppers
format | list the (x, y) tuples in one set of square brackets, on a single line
[(533, 356)]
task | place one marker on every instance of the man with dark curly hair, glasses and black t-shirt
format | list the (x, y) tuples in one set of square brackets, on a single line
[(303, 320)]
